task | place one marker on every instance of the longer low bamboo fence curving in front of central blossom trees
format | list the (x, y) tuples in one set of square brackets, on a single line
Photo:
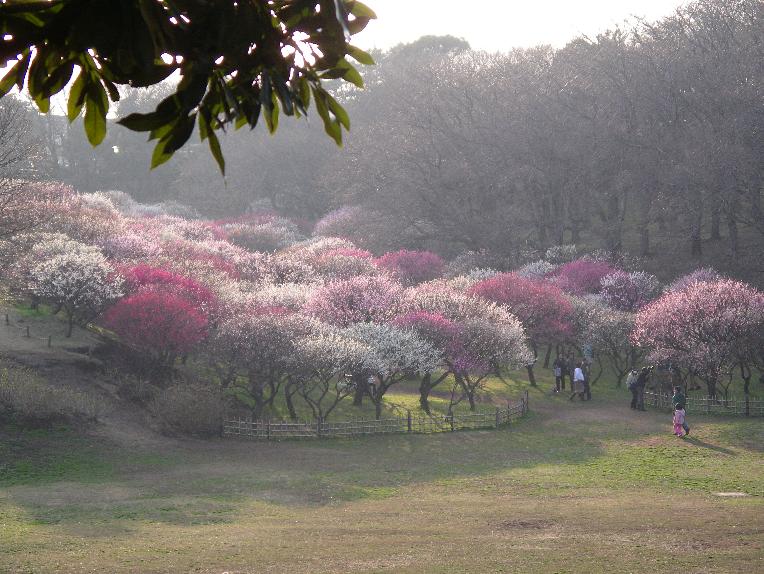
[(282, 429)]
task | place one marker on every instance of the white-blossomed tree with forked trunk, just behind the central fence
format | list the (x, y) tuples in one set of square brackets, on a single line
[(391, 354)]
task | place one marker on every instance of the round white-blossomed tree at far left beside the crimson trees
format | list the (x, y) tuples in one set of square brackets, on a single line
[(76, 278)]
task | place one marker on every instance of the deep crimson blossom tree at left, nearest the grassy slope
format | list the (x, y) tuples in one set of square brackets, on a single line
[(160, 324)]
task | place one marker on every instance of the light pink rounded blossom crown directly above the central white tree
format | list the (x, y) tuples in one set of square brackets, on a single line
[(357, 300)]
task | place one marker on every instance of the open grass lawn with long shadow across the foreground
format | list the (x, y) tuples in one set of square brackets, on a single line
[(574, 487)]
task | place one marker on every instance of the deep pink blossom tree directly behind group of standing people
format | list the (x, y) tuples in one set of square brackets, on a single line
[(541, 307)]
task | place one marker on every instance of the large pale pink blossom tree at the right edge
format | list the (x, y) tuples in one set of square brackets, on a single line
[(707, 328)]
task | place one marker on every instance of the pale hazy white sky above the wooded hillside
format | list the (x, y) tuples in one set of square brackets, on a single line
[(500, 25)]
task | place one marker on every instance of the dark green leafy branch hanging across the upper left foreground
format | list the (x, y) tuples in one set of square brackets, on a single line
[(238, 61)]
